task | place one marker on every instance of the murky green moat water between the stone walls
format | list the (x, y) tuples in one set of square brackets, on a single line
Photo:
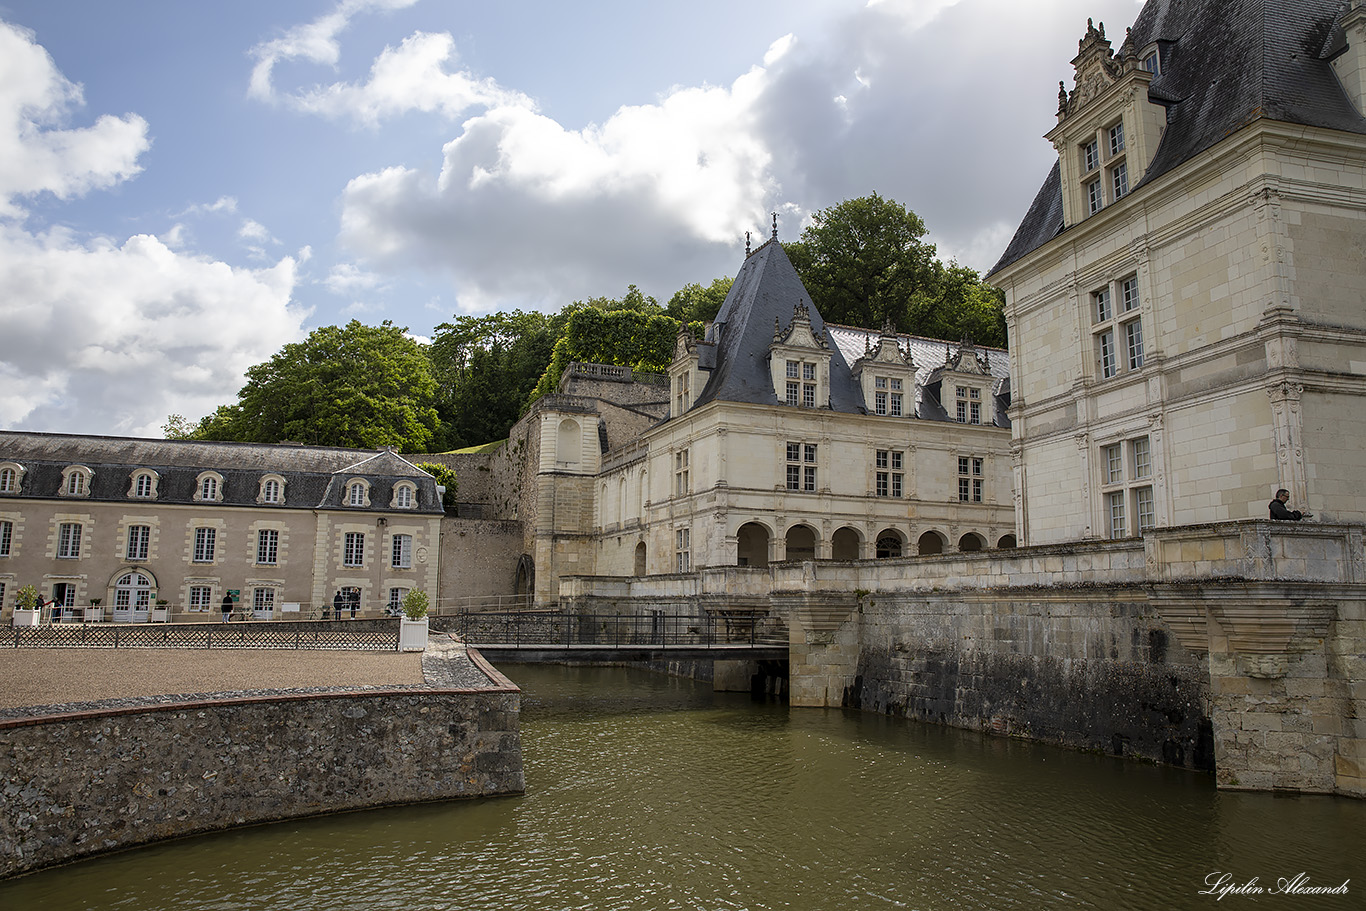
[(651, 793)]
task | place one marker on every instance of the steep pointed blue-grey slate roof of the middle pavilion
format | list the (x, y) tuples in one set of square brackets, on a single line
[(767, 289)]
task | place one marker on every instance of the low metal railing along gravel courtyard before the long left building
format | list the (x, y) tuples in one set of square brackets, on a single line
[(199, 636)]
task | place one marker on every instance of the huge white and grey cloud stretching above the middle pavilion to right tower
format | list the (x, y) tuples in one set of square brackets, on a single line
[(915, 100)]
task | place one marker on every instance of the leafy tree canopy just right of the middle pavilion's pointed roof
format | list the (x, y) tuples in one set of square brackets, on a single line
[(865, 263)]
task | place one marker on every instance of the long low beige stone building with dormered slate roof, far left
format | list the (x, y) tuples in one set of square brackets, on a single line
[(286, 528)]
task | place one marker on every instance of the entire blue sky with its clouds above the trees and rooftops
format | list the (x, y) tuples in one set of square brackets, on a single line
[(188, 186)]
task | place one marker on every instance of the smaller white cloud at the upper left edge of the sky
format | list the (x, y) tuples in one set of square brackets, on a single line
[(36, 155)]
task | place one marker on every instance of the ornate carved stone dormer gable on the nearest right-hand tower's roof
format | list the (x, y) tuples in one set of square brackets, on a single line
[(1109, 128)]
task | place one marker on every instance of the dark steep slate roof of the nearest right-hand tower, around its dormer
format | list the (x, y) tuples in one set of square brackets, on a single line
[(1225, 65)]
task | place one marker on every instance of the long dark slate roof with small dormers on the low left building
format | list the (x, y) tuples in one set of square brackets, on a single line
[(315, 477)]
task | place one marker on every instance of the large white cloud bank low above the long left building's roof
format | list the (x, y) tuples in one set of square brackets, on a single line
[(110, 339)]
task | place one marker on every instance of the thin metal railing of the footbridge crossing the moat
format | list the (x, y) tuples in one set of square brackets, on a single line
[(561, 629)]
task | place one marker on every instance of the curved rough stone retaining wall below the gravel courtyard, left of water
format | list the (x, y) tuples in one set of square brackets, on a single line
[(83, 783)]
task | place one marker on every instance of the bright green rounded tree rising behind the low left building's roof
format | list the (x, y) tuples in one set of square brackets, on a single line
[(352, 386)]
